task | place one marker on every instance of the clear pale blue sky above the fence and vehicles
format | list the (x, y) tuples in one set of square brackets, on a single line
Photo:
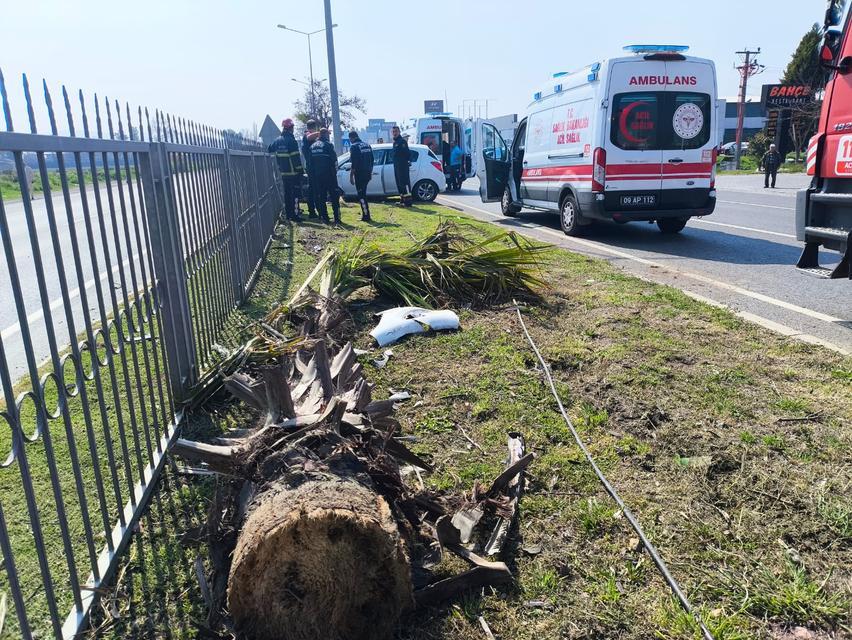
[(224, 62)]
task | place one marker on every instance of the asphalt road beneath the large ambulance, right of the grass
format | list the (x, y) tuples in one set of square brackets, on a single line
[(742, 256)]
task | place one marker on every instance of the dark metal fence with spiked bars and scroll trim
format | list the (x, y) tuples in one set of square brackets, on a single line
[(128, 241)]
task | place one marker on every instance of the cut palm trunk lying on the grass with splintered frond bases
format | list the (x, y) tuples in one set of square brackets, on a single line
[(320, 551)]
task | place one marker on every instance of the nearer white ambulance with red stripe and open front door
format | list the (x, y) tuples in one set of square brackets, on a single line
[(632, 138)]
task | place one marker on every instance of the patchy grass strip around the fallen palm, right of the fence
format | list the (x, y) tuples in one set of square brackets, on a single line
[(731, 444)]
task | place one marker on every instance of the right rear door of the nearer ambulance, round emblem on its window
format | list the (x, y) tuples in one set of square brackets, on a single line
[(687, 130)]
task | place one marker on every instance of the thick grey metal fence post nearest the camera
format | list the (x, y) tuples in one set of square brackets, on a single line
[(169, 269)]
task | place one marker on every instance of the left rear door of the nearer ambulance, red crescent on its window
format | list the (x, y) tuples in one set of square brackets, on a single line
[(633, 144)]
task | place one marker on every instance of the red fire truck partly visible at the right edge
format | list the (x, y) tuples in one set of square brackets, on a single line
[(824, 210)]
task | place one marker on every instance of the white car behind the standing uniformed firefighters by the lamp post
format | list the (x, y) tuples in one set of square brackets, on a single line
[(427, 174)]
